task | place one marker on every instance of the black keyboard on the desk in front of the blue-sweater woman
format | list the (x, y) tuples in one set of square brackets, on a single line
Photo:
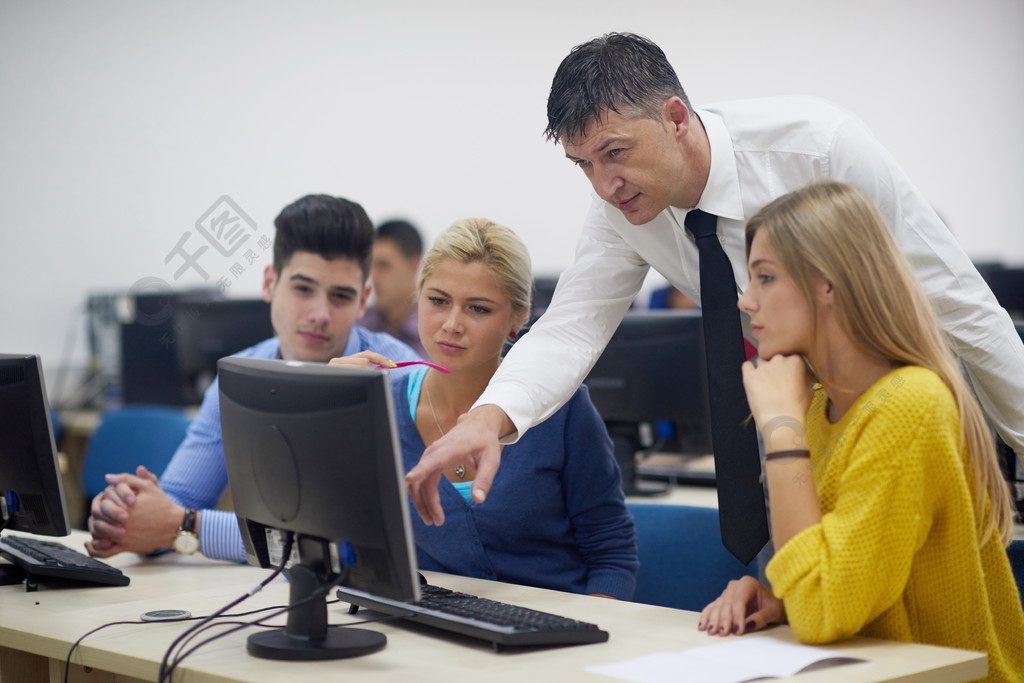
[(502, 624)]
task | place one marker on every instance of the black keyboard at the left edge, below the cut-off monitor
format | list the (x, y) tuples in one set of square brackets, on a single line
[(46, 559)]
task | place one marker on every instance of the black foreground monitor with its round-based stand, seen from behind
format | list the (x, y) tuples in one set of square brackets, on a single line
[(313, 450)]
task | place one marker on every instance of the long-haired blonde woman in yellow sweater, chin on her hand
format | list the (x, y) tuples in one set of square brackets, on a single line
[(889, 515)]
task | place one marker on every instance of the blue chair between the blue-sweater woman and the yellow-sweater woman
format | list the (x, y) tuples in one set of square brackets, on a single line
[(684, 564)]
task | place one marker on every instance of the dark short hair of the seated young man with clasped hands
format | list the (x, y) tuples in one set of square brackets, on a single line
[(329, 227)]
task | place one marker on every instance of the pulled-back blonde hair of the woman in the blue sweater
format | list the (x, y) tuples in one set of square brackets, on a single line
[(497, 247)]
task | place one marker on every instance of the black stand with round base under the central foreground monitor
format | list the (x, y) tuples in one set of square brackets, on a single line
[(307, 637)]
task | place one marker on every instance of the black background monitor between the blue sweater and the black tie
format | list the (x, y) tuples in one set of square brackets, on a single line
[(653, 372)]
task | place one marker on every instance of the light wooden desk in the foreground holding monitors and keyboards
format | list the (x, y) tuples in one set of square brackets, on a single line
[(37, 630)]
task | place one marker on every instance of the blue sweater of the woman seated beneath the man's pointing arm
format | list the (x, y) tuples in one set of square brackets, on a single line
[(556, 517)]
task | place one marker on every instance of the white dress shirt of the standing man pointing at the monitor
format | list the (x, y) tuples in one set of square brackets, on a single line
[(760, 150)]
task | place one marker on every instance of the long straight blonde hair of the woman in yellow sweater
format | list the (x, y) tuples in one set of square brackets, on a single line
[(833, 230)]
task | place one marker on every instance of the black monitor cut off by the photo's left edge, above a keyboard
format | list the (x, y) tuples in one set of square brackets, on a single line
[(32, 498)]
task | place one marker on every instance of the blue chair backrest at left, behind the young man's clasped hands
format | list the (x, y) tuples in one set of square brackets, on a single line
[(130, 437)]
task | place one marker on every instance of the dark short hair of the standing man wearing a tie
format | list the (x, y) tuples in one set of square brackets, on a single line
[(619, 72)]
